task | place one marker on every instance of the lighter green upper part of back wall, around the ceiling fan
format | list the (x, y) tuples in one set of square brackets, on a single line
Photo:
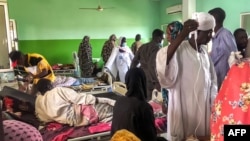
[(62, 19)]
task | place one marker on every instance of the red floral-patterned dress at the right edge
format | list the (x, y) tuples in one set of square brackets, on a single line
[(232, 104)]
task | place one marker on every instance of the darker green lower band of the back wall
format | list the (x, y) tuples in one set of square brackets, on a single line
[(60, 51)]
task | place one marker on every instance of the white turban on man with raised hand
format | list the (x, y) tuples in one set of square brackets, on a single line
[(206, 21)]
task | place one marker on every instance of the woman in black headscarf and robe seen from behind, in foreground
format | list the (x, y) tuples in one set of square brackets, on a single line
[(132, 112)]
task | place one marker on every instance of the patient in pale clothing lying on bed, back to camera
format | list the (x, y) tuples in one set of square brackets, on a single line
[(66, 106)]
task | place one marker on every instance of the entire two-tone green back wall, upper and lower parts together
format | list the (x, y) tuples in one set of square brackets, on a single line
[(54, 28)]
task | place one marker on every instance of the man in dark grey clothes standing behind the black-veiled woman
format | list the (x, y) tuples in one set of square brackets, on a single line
[(146, 57)]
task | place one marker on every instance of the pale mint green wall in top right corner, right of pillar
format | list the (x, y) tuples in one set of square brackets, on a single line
[(232, 9)]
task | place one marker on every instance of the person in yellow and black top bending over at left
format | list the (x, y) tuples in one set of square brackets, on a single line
[(35, 64)]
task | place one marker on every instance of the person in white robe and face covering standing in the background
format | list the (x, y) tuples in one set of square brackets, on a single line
[(123, 58)]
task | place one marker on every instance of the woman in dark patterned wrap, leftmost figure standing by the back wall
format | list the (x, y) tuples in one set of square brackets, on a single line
[(85, 57)]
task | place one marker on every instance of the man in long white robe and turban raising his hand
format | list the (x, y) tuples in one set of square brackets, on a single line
[(186, 70)]
